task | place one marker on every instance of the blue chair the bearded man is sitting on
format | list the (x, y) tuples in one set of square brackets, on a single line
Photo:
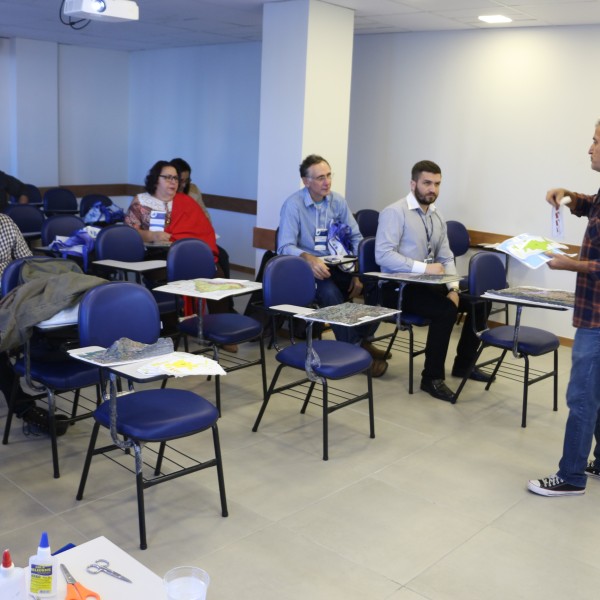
[(408, 321)]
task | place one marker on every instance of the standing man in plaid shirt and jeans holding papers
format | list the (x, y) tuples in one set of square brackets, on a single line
[(583, 392)]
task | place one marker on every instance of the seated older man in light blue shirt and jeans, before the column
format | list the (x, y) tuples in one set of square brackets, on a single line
[(305, 219)]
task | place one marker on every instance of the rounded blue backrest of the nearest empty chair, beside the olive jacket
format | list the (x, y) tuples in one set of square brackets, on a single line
[(118, 309)]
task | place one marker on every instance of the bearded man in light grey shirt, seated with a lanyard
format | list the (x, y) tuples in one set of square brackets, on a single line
[(412, 238)]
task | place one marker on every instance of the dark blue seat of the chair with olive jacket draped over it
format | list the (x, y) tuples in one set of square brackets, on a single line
[(65, 374)]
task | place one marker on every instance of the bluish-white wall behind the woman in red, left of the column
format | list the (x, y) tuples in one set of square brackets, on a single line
[(201, 104)]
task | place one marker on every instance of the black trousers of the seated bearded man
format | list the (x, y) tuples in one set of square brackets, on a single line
[(431, 302)]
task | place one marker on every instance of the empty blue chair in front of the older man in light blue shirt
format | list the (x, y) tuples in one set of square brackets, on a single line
[(290, 280)]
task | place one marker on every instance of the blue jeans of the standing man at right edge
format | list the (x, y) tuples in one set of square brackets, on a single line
[(583, 400)]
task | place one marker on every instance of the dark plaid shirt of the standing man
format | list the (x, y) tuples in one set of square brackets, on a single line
[(587, 290)]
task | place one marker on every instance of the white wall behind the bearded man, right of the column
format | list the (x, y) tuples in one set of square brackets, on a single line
[(506, 114)]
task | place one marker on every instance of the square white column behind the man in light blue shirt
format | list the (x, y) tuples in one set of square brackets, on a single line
[(305, 97)]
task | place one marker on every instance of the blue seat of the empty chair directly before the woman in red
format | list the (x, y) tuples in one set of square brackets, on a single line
[(223, 328)]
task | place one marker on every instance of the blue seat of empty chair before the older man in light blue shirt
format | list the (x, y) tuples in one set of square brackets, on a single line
[(338, 359)]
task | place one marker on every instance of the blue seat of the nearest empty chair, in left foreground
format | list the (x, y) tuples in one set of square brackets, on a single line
[(156, 415)]
